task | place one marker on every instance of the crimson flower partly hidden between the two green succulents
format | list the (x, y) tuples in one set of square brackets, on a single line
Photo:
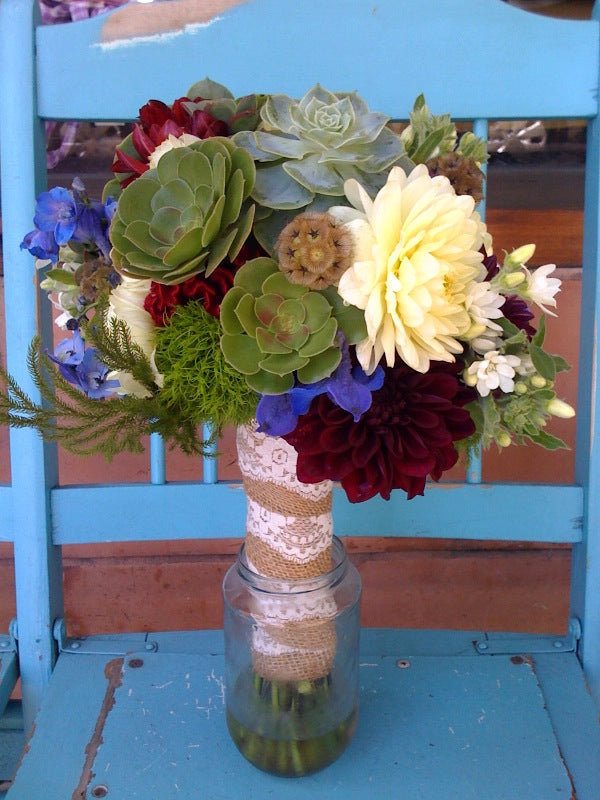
[(162, 300)]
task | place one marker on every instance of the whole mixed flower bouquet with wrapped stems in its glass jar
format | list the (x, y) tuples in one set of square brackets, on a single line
[(300, 270)]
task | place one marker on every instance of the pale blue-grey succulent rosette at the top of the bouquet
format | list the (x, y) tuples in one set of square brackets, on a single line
[(306, 149)]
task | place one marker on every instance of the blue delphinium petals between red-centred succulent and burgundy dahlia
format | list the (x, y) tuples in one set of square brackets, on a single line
[(349, 387)]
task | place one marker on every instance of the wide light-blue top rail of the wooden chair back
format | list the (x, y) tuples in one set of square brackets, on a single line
[(556, 78)]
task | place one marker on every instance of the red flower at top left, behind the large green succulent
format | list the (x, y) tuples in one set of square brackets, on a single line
[(157, 122)]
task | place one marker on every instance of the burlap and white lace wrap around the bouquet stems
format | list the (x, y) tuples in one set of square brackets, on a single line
[(288, 536)]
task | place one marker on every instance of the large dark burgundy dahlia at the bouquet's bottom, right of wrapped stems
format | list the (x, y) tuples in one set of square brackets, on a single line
[(407, 434)]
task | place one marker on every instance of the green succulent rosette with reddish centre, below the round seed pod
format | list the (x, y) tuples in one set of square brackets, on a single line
[(275, 331)]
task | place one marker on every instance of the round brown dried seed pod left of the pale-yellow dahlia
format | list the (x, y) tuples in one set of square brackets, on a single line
[(314, 250)]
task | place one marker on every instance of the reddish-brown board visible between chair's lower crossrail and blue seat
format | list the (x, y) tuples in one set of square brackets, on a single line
[(489, 589)]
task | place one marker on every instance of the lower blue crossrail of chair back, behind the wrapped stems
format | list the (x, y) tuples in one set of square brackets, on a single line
[(468, 511)]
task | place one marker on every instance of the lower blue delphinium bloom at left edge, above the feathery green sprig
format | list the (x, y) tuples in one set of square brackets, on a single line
[(82, 367)]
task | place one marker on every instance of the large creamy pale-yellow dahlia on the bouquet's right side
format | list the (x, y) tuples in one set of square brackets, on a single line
[(416, 255)]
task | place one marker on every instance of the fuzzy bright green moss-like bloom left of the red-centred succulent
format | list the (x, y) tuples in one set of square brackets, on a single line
[(198, 383)]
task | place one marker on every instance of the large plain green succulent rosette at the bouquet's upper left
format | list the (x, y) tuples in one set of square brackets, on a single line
[(187, 215)]
